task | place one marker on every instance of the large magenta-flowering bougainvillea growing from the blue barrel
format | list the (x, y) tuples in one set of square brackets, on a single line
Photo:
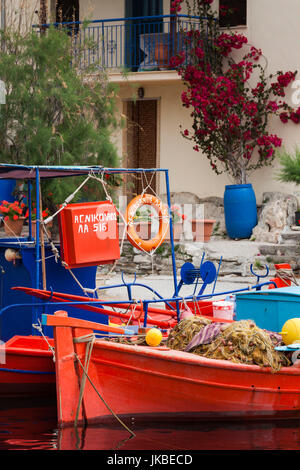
[(231, 101)]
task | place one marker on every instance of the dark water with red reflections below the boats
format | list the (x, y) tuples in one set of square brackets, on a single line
[(32, 425)]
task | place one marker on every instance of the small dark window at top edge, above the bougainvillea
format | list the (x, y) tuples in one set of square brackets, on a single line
[(232, 12)]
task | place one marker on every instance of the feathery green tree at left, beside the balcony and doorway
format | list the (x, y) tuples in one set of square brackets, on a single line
[(54, 114)]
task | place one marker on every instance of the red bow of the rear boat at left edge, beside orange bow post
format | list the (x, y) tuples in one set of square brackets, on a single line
[(28, 368)]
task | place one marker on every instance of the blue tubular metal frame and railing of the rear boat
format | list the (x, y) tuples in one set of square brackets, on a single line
[(205, 272)]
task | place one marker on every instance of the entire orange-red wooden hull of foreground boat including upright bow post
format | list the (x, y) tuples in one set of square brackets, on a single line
[(144, 382)]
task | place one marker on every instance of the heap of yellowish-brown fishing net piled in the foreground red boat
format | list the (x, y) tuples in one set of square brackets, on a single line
[(240, 342)]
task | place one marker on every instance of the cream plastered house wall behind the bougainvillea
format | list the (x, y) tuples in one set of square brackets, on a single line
[(273, 26)]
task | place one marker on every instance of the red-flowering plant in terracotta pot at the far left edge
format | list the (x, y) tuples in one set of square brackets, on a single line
[(13, 217)]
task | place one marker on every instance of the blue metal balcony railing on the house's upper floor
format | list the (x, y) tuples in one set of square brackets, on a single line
[(135, 44)]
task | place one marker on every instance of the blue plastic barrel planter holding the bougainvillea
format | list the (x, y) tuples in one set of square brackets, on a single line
[(240, 210)]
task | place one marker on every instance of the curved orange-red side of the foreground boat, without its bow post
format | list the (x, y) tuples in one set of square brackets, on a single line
[(147, 382)]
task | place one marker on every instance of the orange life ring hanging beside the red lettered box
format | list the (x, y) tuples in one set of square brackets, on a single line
[(163, 214)]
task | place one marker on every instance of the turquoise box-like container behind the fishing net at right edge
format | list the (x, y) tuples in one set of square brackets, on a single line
[(269, 309)]
